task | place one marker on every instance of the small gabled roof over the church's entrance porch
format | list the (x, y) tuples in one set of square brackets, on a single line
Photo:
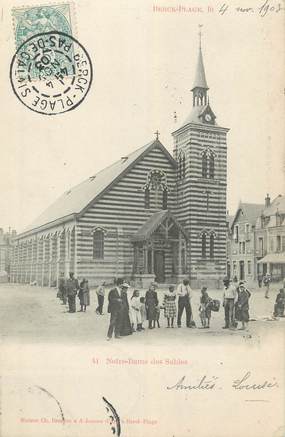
[(151, 225)]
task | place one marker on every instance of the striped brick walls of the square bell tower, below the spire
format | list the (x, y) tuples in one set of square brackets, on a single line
[(202, 201)]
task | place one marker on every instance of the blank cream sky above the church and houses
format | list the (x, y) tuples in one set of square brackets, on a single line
[(144, 65)]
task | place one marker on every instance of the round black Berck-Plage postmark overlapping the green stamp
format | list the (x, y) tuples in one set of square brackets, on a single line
[(51, 73)]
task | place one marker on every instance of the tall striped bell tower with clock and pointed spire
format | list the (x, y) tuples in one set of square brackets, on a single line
[(200, 149)]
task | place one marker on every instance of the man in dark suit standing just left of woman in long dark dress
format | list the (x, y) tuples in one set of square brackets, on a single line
[(115, 309)]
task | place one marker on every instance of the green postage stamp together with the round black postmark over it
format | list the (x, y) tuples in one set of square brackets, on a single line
[(51, 71)]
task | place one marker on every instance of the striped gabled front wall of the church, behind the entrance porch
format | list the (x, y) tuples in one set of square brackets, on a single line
[(121, 212)]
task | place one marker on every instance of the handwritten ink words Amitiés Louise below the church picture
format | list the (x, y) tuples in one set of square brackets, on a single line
[(205, 383)]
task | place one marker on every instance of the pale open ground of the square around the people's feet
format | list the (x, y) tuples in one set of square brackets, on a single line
[(34, 314)]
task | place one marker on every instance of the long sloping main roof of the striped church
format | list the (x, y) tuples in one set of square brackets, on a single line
[(80, 196)]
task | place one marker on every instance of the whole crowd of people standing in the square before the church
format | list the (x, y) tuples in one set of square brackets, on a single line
[(129, 315)]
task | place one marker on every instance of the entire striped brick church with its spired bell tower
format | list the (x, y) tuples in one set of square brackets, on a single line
[(149, 216)]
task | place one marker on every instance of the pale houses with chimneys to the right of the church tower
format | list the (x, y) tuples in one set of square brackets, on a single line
[(256, 241)]
